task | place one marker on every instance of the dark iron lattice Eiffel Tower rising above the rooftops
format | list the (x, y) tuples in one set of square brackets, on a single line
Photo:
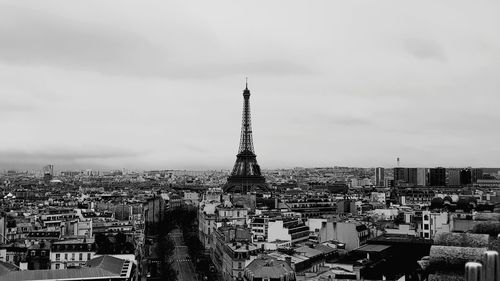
[(246, 175)]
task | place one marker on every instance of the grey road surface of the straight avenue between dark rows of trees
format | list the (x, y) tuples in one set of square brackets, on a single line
[(181, 260)]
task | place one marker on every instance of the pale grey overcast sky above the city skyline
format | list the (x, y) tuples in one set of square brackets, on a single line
[(158, 84)]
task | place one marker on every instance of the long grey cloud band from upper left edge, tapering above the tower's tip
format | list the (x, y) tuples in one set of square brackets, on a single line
[(36, 38)]
